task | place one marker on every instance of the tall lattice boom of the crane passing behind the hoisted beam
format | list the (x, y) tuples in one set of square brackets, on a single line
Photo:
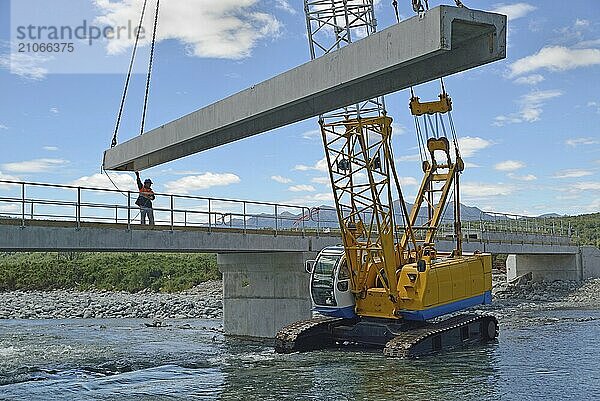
[(357, 142)]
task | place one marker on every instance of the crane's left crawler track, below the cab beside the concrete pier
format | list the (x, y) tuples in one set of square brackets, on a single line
[(307, 335)]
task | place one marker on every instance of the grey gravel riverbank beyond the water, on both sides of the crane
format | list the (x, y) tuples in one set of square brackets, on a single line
[(205, 301)]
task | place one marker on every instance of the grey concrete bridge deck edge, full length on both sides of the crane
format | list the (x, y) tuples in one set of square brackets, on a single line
[(42, 235)]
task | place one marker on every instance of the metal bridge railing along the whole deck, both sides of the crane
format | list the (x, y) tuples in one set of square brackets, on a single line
[(26, 201)]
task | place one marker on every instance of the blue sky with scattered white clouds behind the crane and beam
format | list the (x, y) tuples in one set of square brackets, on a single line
[(530, 124)]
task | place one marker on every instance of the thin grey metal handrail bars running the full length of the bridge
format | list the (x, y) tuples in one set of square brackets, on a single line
[(489, 222)]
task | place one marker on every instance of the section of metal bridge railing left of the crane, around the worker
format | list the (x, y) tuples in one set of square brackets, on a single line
[(28, 201)]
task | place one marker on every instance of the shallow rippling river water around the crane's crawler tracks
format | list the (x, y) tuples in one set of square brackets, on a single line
[(549, 355)]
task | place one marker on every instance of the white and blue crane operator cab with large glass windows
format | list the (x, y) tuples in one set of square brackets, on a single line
[(330, 283)]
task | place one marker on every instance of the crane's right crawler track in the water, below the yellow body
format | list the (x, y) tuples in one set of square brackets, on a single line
[(440, 336)]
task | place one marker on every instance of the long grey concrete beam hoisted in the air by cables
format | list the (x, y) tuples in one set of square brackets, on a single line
[(445, 41)]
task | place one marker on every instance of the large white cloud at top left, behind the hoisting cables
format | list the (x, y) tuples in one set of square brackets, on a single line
[(209, 28)]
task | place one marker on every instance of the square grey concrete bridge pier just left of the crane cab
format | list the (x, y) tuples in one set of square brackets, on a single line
[(262, 292)]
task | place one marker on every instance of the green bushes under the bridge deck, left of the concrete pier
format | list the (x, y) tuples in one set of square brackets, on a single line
[(131, 272)]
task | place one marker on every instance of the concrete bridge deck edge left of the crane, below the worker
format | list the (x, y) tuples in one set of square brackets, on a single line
[(114, 238)]
